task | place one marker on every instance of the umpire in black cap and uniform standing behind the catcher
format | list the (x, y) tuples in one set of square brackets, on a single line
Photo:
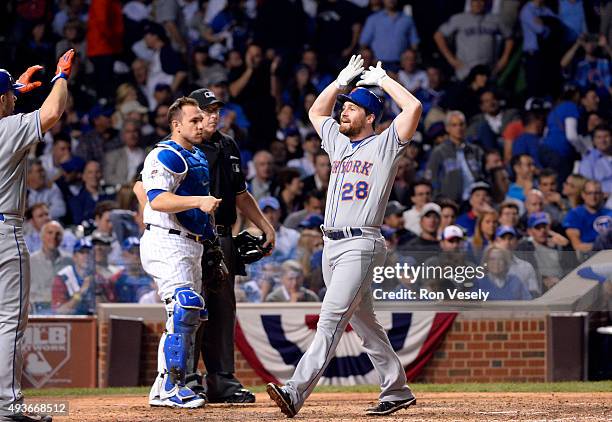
[(215, 338)]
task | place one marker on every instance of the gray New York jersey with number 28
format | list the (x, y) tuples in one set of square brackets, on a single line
[(361, 177)]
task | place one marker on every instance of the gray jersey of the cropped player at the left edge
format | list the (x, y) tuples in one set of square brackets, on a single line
[(17, 134)]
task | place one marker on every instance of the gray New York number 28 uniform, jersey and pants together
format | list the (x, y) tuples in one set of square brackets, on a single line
[(359, 187)]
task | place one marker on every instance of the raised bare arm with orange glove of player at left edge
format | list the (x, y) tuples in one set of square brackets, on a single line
[(54, 105)]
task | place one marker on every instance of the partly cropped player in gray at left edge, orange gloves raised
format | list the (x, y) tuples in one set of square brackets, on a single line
[(18, 133)]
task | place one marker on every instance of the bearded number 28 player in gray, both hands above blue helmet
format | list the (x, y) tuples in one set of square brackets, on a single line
[(364, 166)]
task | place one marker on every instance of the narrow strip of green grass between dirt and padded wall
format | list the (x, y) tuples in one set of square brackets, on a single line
[(577, 387)]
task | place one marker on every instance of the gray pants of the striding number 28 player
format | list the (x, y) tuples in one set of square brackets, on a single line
[(348, 265)]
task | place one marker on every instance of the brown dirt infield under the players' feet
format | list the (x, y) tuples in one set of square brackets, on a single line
[(349, 407)]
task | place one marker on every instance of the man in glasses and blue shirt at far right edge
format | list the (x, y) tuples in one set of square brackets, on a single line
[(582, 223)]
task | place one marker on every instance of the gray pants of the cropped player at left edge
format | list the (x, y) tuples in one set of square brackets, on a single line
[(14, 292)]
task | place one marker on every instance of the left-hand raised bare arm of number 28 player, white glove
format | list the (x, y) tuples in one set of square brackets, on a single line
[(324, 104)]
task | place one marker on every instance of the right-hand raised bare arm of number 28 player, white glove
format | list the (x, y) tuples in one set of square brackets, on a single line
[(406, 122)]
